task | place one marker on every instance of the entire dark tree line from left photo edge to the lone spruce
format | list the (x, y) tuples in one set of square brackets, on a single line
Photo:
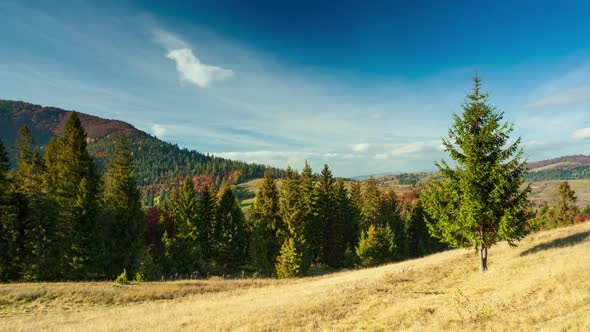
[(63, 219)]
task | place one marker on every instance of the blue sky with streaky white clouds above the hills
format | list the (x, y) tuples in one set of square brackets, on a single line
[(367, 87)]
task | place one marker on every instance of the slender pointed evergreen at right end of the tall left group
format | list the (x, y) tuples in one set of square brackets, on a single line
[(125, 237)]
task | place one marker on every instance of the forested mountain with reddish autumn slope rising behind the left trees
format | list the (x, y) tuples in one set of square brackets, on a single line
[(159, 165)]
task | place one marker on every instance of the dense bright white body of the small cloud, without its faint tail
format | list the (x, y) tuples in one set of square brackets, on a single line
[(191, 69)]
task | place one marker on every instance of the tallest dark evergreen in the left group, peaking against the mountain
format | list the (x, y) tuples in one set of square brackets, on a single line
[(74, 183)]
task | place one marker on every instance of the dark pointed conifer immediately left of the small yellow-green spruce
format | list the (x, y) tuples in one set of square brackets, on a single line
[(266, 226)]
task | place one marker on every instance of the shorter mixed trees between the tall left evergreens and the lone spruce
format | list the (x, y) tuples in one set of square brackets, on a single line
[(309, 222)]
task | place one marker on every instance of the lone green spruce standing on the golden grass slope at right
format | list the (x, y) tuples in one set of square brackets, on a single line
[(479, 201)]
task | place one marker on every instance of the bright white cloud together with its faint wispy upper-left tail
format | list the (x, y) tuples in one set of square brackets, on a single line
[(190, 68)]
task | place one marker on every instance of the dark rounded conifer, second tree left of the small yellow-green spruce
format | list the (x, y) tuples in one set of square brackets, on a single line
[(230, 234)]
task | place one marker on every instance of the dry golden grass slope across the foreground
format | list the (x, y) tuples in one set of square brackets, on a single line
[(543, 284)]
